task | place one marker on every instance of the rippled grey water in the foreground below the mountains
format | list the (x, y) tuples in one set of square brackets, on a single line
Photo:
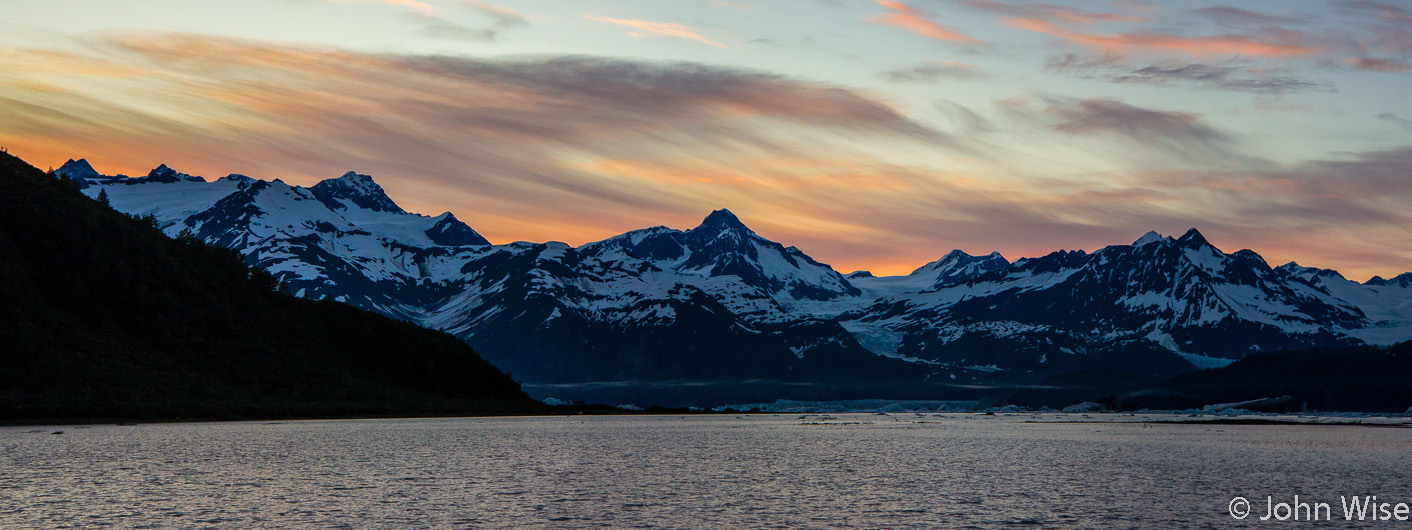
[(695, 473)]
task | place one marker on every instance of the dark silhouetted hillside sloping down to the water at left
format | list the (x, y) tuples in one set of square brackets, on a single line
[(102, 316)]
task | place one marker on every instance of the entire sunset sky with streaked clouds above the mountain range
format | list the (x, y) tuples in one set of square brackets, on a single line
[(873, 135)]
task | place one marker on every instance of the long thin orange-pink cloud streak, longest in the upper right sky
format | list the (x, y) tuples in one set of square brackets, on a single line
[(1150, 42)]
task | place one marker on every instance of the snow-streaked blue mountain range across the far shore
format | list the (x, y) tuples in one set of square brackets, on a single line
[(721, 303)]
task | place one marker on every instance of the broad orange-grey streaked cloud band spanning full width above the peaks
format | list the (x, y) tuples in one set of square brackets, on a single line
[(580, 149)]
